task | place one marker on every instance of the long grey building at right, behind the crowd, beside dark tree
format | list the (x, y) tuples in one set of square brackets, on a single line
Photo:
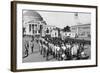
[(82, 30)]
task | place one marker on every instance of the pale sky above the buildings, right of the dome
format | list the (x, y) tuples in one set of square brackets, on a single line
[(63, 19)]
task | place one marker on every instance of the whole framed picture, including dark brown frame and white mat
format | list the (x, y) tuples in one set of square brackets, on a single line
[(53, 36)]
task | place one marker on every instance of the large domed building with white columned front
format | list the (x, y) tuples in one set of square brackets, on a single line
[(32, 23)]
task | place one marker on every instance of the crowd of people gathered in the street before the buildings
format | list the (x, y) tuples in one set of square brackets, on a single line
[(61, 49)]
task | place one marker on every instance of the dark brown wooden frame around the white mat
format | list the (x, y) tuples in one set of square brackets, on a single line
[(14, 36)]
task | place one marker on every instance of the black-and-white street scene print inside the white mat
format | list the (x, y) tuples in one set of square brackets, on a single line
[(56, 36)]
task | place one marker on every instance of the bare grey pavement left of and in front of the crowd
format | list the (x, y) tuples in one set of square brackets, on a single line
[(36, 56)]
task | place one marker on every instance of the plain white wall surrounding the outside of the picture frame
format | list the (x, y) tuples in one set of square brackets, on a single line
[(5, 37)]
